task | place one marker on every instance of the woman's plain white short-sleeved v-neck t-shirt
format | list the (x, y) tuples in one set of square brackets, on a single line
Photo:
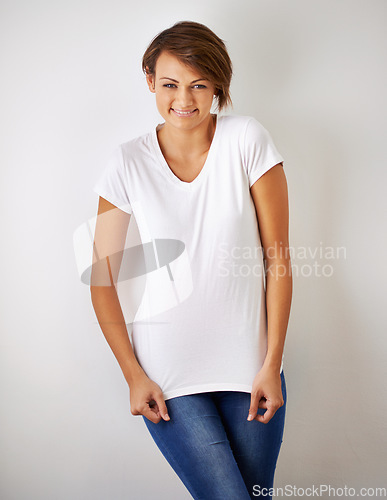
[(205, 325)]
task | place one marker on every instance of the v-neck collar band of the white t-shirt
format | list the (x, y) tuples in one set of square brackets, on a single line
[(166, 168)]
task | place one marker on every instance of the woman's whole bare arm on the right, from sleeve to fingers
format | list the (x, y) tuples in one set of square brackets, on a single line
[(270, 196)]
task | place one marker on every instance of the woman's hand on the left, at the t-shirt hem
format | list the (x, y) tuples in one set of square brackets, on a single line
[(146, 398)]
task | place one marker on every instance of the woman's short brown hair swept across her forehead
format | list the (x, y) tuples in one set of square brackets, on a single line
[(199, 48)]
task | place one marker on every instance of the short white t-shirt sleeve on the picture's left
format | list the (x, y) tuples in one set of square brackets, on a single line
[(113, 182)]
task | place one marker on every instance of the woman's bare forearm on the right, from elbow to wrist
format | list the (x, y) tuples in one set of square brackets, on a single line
[(279, 286)]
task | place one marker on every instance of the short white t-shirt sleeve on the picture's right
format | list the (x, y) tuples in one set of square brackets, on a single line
[(260, 153)]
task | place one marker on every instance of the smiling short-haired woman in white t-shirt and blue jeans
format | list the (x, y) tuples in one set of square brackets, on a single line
[(205, 370)]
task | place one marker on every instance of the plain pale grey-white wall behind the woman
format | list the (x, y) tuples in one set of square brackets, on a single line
[(313, 73)]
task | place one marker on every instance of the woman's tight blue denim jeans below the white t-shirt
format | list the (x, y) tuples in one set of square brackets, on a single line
[(216, 452)]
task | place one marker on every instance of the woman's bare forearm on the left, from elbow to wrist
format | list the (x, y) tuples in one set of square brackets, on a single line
[(112, 322)]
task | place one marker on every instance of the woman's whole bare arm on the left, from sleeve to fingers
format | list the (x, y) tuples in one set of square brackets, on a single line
[(109, 242)]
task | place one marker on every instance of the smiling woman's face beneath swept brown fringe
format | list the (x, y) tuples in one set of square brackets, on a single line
[(183, 97)]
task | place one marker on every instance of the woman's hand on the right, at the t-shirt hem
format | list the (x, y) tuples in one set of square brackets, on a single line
[(266, 393)]
